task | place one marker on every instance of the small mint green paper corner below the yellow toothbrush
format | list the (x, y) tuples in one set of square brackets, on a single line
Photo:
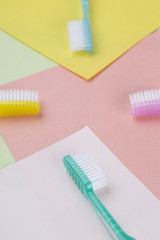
[(6, 157)]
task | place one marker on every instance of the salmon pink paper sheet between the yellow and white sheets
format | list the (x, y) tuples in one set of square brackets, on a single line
[(103, 104)]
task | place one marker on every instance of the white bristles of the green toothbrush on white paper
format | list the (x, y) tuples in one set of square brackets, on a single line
[(92, 171)]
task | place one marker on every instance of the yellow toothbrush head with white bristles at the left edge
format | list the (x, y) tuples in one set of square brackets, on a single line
[(18, 102)]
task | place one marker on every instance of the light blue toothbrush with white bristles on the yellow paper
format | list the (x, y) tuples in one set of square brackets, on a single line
[(79, 32)]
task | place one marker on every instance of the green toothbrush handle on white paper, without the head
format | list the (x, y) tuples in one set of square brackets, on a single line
[(115, 230)]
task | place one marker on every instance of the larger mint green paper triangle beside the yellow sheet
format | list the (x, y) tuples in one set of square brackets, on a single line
[(18, 61)]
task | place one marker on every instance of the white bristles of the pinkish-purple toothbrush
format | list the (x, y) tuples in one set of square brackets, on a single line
[(146, 96)]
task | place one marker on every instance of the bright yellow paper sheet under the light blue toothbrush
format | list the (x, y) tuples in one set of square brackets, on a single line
[(116, 26)]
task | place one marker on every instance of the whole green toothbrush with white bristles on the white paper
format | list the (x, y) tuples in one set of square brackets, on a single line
[(89, 177)]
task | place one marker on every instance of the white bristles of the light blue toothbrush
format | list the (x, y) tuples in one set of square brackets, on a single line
[(76, 36)]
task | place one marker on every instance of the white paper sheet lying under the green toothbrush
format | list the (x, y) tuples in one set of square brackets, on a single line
[(40, 201)]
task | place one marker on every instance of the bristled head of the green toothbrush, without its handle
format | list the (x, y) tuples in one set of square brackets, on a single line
[(85, 172)]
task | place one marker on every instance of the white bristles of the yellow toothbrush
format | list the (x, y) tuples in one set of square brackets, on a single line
[(18, 95)]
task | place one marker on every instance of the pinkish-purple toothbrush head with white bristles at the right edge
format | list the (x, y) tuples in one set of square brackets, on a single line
[(146, 103)]
